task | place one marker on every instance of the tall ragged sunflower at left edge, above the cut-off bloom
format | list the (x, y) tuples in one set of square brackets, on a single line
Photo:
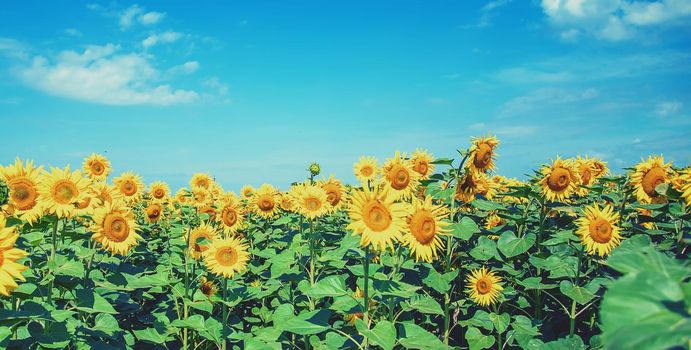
[(23, 179)]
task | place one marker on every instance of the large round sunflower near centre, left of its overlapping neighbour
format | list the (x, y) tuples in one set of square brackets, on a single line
[(376, 217)]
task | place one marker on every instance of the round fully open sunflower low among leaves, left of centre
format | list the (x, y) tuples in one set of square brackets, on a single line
[(226, 256)]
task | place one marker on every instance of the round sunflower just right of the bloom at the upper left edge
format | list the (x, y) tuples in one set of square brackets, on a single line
[(61, 190)]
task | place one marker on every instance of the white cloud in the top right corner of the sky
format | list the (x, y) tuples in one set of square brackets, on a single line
[(614, 20)]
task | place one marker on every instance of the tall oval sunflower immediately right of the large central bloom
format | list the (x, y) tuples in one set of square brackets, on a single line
[(425, 228)]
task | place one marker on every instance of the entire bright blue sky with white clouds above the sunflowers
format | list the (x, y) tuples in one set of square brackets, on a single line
[(252, 92)]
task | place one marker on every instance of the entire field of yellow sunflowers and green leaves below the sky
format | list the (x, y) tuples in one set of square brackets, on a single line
[(421, 253)]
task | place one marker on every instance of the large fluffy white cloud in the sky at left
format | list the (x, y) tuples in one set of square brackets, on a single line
[(100, 75)]
